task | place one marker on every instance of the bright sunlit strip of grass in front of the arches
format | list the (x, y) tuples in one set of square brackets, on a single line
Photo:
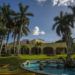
[(40, 57)]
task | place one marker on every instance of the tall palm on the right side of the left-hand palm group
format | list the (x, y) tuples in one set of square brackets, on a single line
[(22, 22)]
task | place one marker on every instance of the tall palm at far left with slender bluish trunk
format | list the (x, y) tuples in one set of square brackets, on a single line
[(7, 13)]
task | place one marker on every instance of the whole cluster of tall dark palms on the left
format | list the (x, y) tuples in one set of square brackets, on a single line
[(15, 23)]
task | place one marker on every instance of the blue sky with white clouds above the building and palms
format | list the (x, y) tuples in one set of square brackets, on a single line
[(44, 11)]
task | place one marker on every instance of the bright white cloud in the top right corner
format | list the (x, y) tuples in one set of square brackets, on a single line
[(63, 2)]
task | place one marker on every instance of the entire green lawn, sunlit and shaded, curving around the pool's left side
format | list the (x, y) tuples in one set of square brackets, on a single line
[(15, 61)]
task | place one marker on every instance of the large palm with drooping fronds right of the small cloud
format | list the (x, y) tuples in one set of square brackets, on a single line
[(63, 25)]
